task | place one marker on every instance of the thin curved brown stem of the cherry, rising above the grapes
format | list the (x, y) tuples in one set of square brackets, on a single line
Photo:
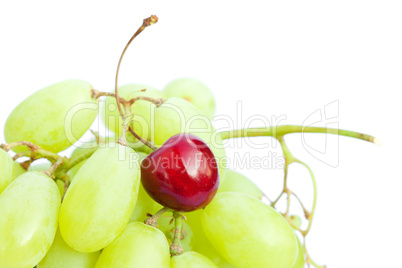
[(147, 22)]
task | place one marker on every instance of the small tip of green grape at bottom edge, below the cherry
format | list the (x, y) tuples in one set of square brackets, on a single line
[(191, 260)]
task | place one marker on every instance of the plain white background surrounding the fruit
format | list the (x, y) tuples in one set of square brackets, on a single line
[(282, 58)]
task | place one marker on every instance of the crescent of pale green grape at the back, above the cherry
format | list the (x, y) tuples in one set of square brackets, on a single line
[(193, 91)]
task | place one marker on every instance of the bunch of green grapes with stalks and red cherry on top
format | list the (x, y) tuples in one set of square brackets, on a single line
[(156, 194)]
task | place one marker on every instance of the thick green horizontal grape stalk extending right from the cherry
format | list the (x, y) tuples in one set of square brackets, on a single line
[(280, 131)]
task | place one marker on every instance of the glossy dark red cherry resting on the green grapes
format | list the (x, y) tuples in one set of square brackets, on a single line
[(182, 174)]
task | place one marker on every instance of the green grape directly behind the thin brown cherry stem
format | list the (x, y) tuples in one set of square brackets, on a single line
[(141, 109)]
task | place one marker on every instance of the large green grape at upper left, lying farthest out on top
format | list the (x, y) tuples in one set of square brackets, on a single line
[(54, 117)]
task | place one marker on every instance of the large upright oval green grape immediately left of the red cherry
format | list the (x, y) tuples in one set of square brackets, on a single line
[(100, 199)]
